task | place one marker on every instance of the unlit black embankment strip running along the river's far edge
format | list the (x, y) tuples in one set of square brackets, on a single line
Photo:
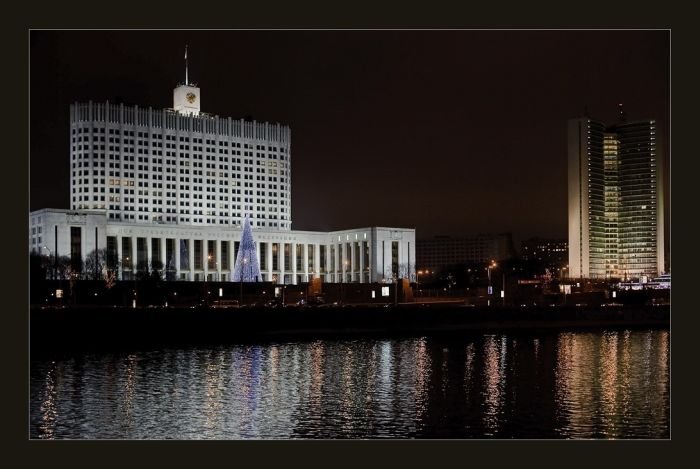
[(79, 327)]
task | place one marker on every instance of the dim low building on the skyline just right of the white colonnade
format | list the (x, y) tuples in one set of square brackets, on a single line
[(442, 251)]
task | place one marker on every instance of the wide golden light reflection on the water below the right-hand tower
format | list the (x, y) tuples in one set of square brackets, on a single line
[(613, 385)]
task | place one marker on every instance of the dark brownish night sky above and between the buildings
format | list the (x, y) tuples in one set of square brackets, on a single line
[(449, 132)]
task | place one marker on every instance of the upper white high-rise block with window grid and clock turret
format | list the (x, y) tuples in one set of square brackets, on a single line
[(176, 166)]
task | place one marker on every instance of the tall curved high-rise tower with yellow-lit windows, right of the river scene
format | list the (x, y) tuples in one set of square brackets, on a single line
[(615, 199)]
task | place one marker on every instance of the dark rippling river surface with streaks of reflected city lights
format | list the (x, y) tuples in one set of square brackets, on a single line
[(612, 384)]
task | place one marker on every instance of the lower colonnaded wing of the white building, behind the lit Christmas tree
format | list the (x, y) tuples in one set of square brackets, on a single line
[(372, 254)]
